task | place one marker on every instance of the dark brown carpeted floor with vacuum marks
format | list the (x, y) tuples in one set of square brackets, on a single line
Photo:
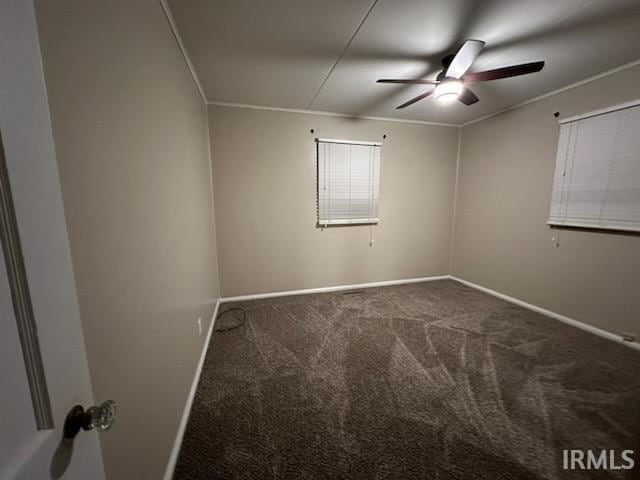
[(431, 380)]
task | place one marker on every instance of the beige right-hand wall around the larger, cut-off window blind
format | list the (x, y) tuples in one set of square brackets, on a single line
[(504, 192)]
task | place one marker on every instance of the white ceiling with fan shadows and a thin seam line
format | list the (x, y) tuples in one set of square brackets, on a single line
[(280, 53)]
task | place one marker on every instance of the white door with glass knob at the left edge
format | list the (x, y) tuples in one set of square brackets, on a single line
[(29, 451)]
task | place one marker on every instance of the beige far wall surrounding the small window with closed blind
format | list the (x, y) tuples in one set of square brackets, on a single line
[(264, 168)]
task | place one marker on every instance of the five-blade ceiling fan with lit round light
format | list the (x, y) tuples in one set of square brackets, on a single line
[(452, 83)]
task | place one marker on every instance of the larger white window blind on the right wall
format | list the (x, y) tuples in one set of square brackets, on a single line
[(597, 176)]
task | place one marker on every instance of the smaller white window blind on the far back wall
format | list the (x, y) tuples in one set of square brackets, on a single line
[(348, 182)]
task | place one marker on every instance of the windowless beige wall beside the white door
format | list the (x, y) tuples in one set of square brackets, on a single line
[(132, 146)]
